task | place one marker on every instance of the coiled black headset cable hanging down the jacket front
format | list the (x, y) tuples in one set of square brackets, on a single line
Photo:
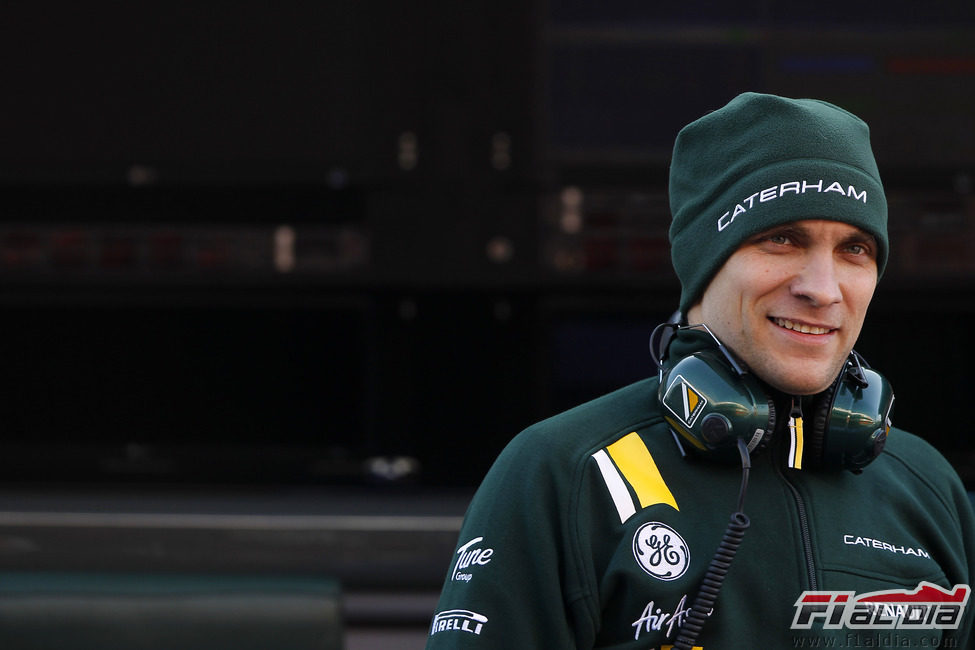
[(707, 595)]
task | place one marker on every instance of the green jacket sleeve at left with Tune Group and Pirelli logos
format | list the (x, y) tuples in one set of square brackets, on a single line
[(510, 583)]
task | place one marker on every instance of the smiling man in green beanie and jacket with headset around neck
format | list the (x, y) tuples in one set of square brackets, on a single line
[(596, 528)]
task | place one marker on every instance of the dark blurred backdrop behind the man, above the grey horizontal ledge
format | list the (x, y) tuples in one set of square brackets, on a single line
[(339, 245)]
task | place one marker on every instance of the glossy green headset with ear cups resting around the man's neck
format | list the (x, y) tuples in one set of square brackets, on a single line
[(711, 400)]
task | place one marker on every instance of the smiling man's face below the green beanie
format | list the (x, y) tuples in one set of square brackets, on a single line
[(790, 302)]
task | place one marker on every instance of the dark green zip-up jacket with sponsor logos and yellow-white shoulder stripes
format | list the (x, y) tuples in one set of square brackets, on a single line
[(592, 530)]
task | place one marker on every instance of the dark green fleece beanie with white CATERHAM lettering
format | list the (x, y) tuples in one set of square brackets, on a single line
[(762, 161)]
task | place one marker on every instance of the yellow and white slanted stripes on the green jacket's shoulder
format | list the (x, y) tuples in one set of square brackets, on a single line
[(631, 476)]
